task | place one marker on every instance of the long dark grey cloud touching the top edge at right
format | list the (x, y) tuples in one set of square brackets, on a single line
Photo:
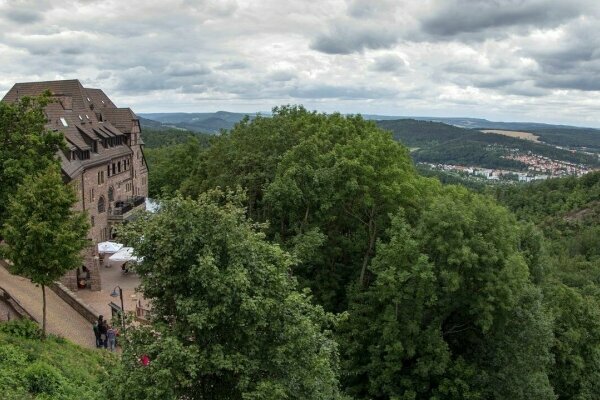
[(455, 17)]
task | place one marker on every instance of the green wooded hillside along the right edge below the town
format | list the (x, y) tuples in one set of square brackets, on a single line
[(567, 211)]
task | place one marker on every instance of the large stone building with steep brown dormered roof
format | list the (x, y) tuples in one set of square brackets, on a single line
[(104, 161)]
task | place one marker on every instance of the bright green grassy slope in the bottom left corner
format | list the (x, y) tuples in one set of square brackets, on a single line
[(51, 369)]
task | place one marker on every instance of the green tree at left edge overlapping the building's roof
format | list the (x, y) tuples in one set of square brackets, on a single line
[(26, 147)]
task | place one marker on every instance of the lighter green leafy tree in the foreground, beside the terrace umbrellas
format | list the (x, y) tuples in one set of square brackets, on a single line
[(227, 321)]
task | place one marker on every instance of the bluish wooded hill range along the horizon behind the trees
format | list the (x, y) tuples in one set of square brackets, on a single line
[(439, 140)]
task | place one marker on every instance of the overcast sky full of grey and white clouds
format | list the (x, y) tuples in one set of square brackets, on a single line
[(517, 60)]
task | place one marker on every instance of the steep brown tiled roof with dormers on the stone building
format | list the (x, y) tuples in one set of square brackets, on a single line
[(84, 116)]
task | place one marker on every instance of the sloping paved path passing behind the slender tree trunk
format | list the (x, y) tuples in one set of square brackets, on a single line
[(62, 319)]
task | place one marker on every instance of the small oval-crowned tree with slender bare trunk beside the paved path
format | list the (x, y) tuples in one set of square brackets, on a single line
[(43, 236)]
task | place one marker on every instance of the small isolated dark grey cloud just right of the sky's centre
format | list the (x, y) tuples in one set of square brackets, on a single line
[(347, 38)]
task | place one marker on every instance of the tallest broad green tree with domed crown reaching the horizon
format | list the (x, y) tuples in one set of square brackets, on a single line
[(326, 185)]
